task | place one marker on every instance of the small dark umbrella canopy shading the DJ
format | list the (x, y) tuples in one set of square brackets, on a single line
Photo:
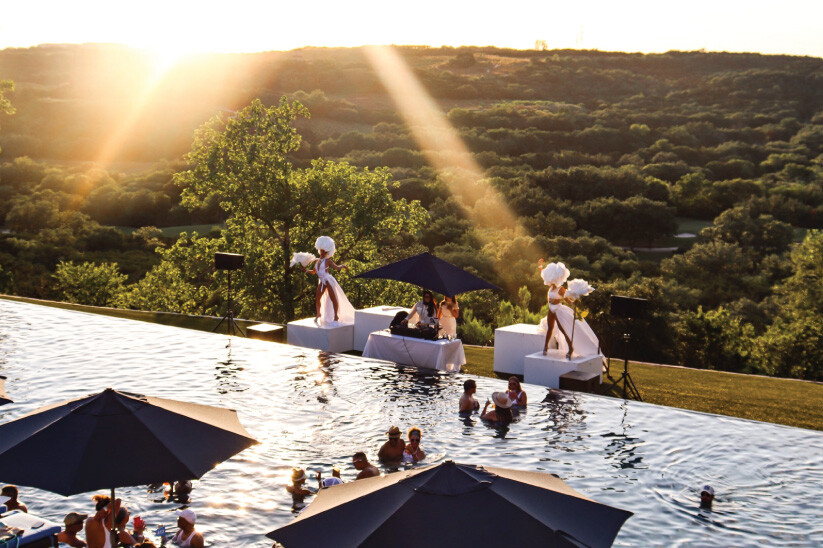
[(429, 272)]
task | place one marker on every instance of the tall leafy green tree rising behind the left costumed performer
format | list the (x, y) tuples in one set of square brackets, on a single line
[(276, 209)]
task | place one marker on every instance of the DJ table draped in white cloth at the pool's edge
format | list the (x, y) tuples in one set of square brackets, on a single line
[(441, 354)]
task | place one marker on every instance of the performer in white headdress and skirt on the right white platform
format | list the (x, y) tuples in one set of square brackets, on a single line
[(559, 324)]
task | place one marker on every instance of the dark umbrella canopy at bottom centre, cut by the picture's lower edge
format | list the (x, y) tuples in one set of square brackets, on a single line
[(453, 505)]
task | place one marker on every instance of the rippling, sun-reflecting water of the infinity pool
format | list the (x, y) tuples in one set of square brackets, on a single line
[(315, 409)]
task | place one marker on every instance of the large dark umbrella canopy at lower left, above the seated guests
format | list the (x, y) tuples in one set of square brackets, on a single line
[(117, 439)]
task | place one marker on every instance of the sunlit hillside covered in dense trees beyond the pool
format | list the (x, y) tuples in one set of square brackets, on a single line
[(692, 179)]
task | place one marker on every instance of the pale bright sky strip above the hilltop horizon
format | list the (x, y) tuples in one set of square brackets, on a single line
[(175, 27)]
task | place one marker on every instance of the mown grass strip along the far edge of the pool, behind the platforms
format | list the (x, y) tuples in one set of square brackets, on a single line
[(782, 401)]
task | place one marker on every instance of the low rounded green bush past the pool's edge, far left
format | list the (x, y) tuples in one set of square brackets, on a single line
[(89, 283)]
